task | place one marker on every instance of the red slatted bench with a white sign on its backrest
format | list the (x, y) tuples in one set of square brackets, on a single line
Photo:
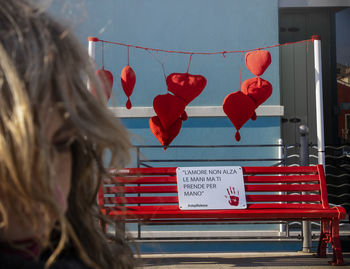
[(272, 193)]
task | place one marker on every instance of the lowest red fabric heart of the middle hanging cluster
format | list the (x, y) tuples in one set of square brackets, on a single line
[(165, 137)]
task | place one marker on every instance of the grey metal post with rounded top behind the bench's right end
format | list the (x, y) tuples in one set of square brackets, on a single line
[(304, 161)]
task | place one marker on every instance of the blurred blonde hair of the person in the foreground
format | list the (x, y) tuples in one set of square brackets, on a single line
[(42, 62)]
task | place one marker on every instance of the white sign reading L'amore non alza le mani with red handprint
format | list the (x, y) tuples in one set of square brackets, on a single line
[(216, 187)]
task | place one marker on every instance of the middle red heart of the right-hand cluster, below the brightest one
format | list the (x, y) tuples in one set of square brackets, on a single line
[(258, 89)]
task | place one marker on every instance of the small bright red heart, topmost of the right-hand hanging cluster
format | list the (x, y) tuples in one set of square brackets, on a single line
[(258, 61)]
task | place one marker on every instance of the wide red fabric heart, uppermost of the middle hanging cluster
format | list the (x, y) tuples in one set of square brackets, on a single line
[(186, 86)]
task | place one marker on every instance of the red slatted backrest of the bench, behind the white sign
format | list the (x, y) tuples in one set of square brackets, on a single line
[(266, 187)]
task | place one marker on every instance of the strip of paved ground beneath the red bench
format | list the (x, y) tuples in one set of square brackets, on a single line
[(238, 260)]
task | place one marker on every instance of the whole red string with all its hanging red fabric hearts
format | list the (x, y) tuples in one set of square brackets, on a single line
[(183, 88)]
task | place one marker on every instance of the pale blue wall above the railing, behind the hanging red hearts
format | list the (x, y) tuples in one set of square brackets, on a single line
[(198, 26)]
